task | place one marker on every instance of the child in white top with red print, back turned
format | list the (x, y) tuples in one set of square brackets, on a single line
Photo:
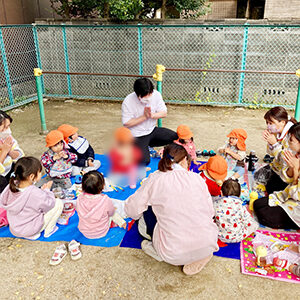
[(232, 218)]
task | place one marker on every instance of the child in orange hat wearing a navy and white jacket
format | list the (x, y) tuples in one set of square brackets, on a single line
[(80, 146)]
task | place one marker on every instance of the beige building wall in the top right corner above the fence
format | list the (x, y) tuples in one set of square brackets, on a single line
[(282, 9)]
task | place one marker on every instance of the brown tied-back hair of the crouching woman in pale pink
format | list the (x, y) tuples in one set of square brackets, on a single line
[(173, 153)]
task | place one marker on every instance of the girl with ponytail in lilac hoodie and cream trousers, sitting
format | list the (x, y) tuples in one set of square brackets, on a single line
[(30, 210)]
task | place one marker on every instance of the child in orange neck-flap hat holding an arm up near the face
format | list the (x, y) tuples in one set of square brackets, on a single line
[(234, 151)]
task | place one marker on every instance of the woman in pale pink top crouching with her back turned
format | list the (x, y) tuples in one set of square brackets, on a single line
[(185, 233)]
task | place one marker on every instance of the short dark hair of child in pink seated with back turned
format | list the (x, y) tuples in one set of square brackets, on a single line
[(93, 182)]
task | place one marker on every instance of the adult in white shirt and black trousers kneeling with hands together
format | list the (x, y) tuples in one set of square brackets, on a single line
[(140, 112)]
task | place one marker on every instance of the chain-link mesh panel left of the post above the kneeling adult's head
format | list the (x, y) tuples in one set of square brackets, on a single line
[(102, 50)]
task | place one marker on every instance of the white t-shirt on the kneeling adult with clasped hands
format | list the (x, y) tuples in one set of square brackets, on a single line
[(133, 108)]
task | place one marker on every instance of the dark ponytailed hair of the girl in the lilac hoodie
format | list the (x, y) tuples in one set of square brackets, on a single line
[(24, 167)]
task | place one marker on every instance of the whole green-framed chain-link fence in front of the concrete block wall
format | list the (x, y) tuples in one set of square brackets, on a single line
[(136, 49)]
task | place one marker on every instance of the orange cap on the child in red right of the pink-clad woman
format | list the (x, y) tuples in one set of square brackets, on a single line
[(216, 167)]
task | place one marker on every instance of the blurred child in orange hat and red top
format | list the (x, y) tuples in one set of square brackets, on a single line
[(124, 155)]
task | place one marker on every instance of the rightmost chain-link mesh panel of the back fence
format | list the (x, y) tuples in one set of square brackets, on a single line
[(272, 49)]
